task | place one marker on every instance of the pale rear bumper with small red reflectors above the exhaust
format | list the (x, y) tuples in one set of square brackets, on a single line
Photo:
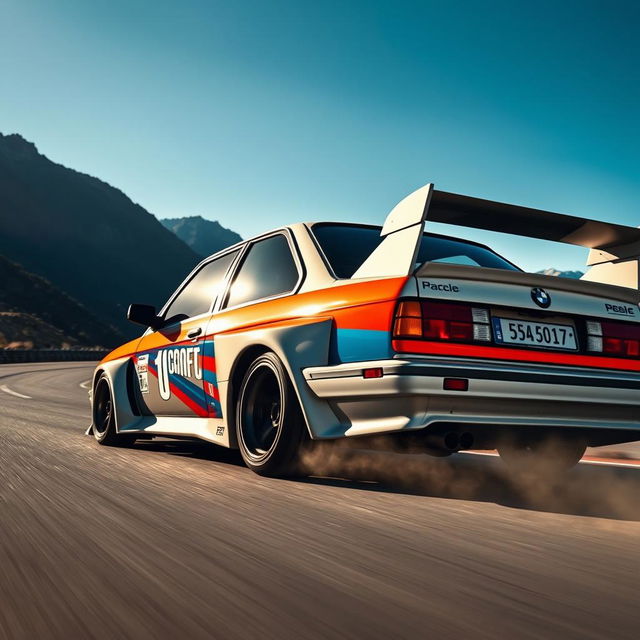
[(410, 395)]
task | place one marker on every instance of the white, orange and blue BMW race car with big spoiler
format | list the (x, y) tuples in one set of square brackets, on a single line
[(320, 331)]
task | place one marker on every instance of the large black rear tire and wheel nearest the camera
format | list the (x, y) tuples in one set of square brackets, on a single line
[(269, 423)]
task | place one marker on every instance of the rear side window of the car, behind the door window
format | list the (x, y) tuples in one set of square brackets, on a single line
[(267, 270)]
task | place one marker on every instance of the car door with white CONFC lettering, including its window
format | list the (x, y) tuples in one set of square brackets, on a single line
[(171, 361)]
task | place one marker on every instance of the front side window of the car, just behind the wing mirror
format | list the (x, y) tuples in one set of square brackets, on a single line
[(201, 290)]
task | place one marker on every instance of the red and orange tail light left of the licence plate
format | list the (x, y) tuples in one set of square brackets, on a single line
[(441, 321)]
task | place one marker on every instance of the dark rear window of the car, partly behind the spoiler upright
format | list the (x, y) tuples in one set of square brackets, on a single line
[(346, 247)]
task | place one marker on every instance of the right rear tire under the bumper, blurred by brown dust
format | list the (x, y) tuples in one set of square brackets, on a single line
[(542, 456)]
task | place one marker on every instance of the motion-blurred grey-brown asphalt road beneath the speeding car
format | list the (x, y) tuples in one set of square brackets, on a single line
[(179, 540)]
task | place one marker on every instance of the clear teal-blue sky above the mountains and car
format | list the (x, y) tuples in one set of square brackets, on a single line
[(262, 113)]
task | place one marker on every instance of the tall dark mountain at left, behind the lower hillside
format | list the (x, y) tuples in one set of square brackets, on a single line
[(85, 236)]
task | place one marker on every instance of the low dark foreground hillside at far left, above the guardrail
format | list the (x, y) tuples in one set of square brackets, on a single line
[(29, 302)]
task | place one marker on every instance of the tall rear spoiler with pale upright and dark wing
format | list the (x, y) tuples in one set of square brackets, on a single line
[(404, 226)]
